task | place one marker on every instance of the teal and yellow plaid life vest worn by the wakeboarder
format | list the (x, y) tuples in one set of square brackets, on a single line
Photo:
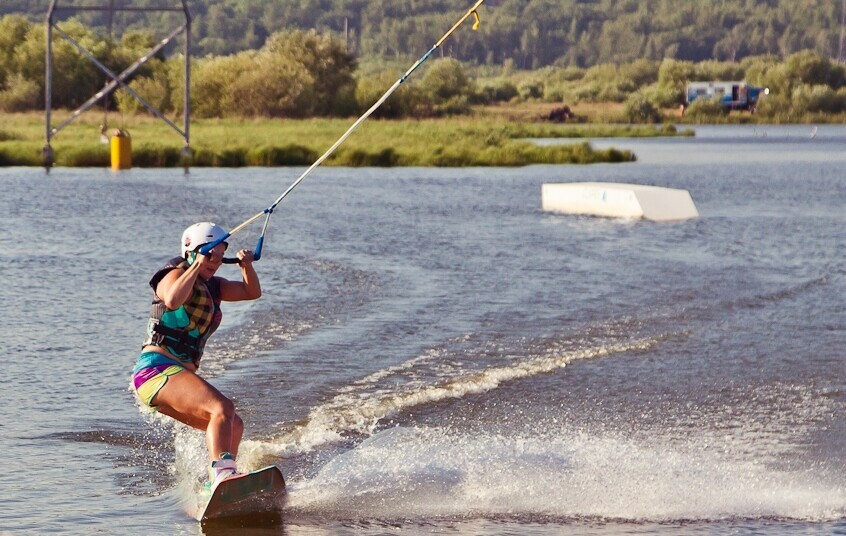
[(183, 331)]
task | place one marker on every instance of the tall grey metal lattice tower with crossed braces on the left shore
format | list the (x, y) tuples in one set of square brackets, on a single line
[(116, 79)]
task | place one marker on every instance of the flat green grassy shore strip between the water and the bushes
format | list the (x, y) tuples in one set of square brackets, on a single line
[(489, 137)]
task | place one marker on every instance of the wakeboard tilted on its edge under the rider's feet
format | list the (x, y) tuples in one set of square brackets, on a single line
[(256, 493)]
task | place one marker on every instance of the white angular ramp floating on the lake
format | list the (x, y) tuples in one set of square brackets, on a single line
[(619, 200)]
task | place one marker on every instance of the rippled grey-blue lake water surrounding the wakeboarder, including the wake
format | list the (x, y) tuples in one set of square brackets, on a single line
[(435, 354)]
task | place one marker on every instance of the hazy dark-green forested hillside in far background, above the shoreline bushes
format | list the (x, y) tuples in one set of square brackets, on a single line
[(528, 33)]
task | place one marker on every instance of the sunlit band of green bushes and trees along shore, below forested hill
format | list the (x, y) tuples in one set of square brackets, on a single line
[(299, 73)]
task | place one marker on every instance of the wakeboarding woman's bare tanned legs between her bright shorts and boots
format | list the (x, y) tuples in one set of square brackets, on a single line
[(190, 399)]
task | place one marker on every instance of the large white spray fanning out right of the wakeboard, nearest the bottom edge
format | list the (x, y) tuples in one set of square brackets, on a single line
[(404, 473)]
